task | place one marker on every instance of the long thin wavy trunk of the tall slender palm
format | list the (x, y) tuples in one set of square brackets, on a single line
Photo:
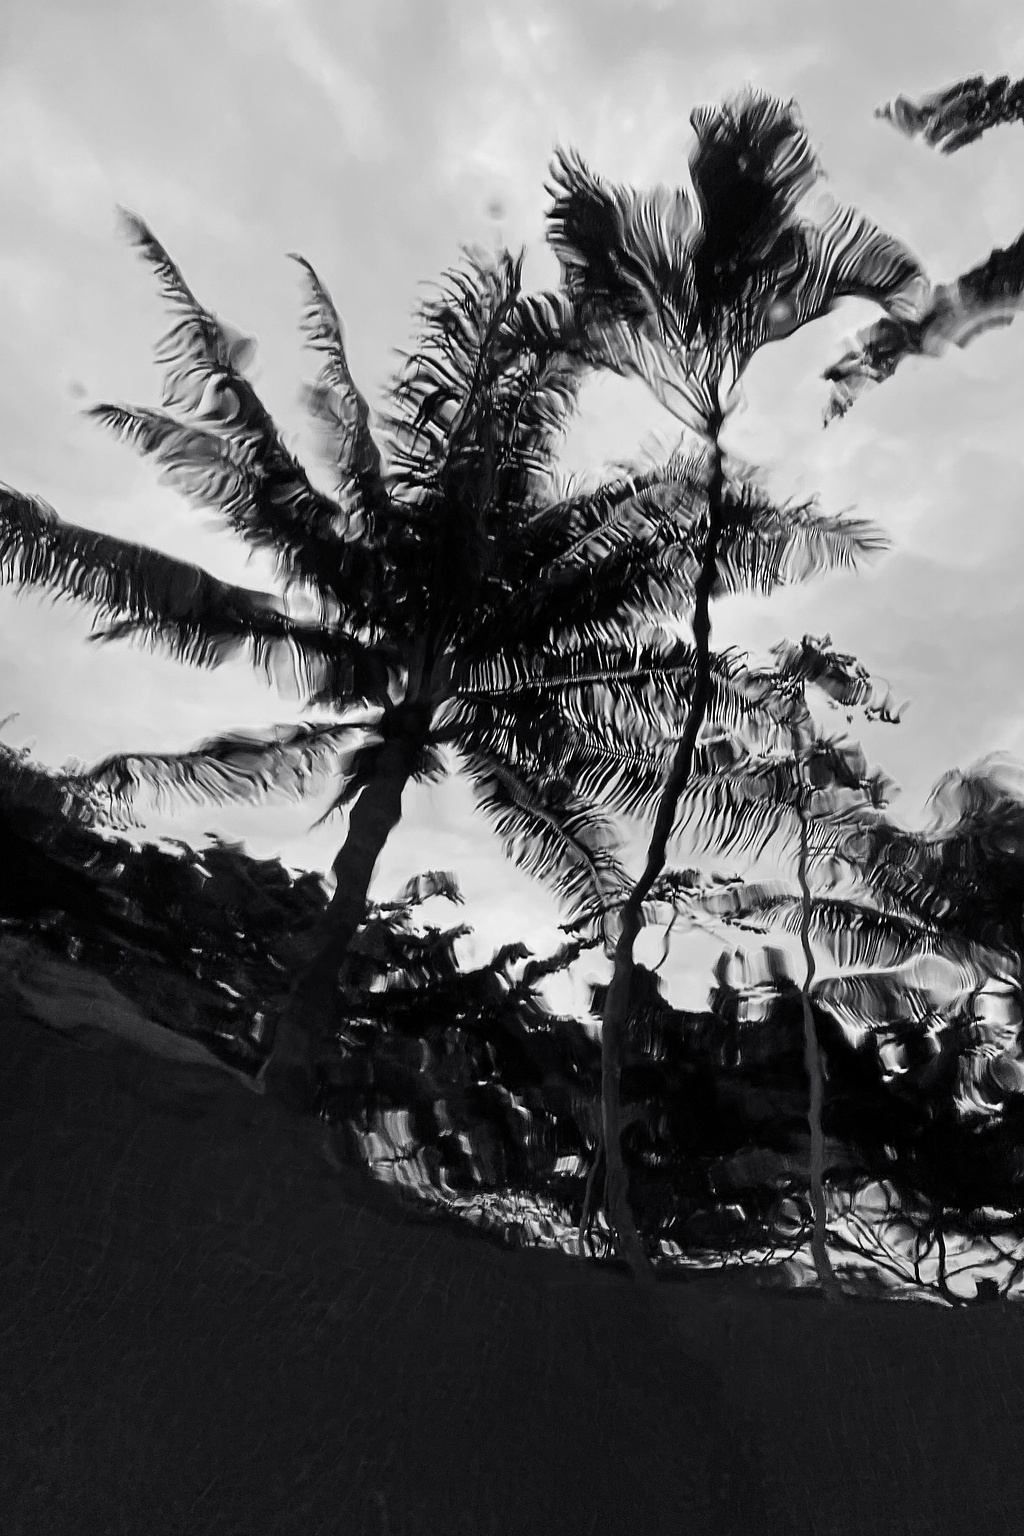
[(616, 1013)]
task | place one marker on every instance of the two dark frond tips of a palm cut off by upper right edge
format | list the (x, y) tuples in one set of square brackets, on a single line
[(979, 300)]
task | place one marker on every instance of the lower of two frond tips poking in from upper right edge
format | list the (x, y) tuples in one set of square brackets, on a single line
[(982, 300)]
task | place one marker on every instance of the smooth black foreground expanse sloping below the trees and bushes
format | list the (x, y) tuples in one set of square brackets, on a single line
[(210, 1329)]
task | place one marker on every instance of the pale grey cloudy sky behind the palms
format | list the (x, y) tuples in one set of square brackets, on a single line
[(378, 139)]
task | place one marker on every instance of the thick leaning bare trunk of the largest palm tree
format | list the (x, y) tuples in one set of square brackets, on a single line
[(308, 1015)]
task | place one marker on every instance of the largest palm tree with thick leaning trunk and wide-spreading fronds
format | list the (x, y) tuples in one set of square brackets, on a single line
[(463, 607)]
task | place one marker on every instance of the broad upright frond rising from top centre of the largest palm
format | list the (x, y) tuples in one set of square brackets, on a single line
[(477, 412)]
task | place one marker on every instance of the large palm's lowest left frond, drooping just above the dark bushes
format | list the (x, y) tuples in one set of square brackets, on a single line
[(289, 761)]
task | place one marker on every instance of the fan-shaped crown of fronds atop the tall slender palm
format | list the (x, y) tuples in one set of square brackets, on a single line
[(682, 294)]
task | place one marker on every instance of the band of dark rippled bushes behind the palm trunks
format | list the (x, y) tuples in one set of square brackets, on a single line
[(469, 1093)]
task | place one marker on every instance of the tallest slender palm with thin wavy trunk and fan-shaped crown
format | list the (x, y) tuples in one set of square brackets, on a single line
[(682, 293)]
